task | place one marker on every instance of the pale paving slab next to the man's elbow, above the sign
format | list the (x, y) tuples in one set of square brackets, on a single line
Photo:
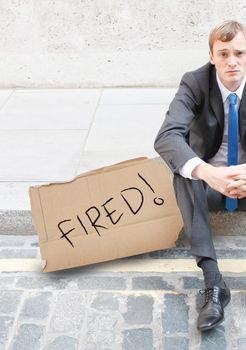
[(130, 126)]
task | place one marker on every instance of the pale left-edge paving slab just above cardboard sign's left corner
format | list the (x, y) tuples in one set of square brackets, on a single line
[(38, 155)]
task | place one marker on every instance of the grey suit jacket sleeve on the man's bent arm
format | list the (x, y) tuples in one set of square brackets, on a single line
[(172, 141)]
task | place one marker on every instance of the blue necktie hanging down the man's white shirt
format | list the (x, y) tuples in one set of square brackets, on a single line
[(232, 203)]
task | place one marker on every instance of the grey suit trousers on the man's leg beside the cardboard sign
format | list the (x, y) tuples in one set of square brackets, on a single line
[(195, 199)]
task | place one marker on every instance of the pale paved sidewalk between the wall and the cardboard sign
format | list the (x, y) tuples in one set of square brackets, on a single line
[(53, 135)]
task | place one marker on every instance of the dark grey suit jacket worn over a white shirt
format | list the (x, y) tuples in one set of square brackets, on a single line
[(194, 123)]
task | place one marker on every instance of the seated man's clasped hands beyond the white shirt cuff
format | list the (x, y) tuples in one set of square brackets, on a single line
[(222, 179)]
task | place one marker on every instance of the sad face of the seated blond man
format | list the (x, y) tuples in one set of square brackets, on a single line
[(229, 59)]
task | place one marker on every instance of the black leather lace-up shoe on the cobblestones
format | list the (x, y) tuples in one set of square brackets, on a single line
[(212, 312)]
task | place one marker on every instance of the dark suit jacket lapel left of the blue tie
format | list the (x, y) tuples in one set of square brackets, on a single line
[(216, 101)]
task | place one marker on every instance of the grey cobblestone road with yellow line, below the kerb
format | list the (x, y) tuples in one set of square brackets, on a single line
[(100, 307)]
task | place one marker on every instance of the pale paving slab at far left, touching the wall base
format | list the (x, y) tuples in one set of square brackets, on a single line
[(49, 109)]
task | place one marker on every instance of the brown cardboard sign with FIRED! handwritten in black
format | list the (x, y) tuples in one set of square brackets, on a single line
[(109, 213)]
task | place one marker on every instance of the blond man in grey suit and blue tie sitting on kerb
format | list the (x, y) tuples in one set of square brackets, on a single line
[(203, 140)]
